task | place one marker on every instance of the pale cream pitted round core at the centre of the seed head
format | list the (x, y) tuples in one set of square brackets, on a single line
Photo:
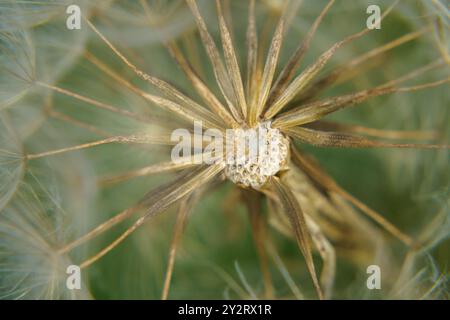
[(271, 156)]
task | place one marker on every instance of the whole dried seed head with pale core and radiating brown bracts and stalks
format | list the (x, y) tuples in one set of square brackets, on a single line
[(285, 103)]
